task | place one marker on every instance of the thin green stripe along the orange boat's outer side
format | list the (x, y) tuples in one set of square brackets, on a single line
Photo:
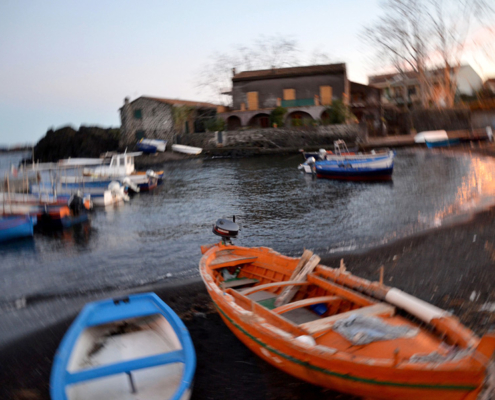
[(345, 376)]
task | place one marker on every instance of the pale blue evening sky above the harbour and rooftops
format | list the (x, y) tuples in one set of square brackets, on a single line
[(73, 62)]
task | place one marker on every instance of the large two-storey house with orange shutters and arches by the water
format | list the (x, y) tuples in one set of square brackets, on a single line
[(306, 92)]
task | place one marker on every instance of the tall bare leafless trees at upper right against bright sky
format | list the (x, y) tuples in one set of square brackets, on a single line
[(413, 35)]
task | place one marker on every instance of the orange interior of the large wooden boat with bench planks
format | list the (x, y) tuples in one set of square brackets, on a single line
[(255, 278)]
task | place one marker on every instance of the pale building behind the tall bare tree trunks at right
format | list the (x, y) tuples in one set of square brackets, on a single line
[(403, 89)]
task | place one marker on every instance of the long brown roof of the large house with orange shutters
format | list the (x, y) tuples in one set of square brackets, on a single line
[(289, 72)]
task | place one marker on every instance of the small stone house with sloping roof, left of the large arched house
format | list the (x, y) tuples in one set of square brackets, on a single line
[(153, 118)]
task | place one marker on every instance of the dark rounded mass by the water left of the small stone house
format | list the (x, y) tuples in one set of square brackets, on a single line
[(88, 141)]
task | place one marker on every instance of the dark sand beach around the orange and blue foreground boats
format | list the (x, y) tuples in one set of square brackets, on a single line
[(452, 267)]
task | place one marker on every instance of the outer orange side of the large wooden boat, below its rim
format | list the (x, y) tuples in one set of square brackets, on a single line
[(349, 378)]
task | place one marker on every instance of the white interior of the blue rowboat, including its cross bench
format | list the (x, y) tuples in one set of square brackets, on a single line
[(100, 349)]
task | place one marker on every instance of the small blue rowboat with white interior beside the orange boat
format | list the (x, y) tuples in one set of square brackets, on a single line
[(127, 348)]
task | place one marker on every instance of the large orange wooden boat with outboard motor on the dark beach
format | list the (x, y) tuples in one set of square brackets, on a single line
[(436, 357)]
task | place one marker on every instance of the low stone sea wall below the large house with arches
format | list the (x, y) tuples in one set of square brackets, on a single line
[(274, 138)]
